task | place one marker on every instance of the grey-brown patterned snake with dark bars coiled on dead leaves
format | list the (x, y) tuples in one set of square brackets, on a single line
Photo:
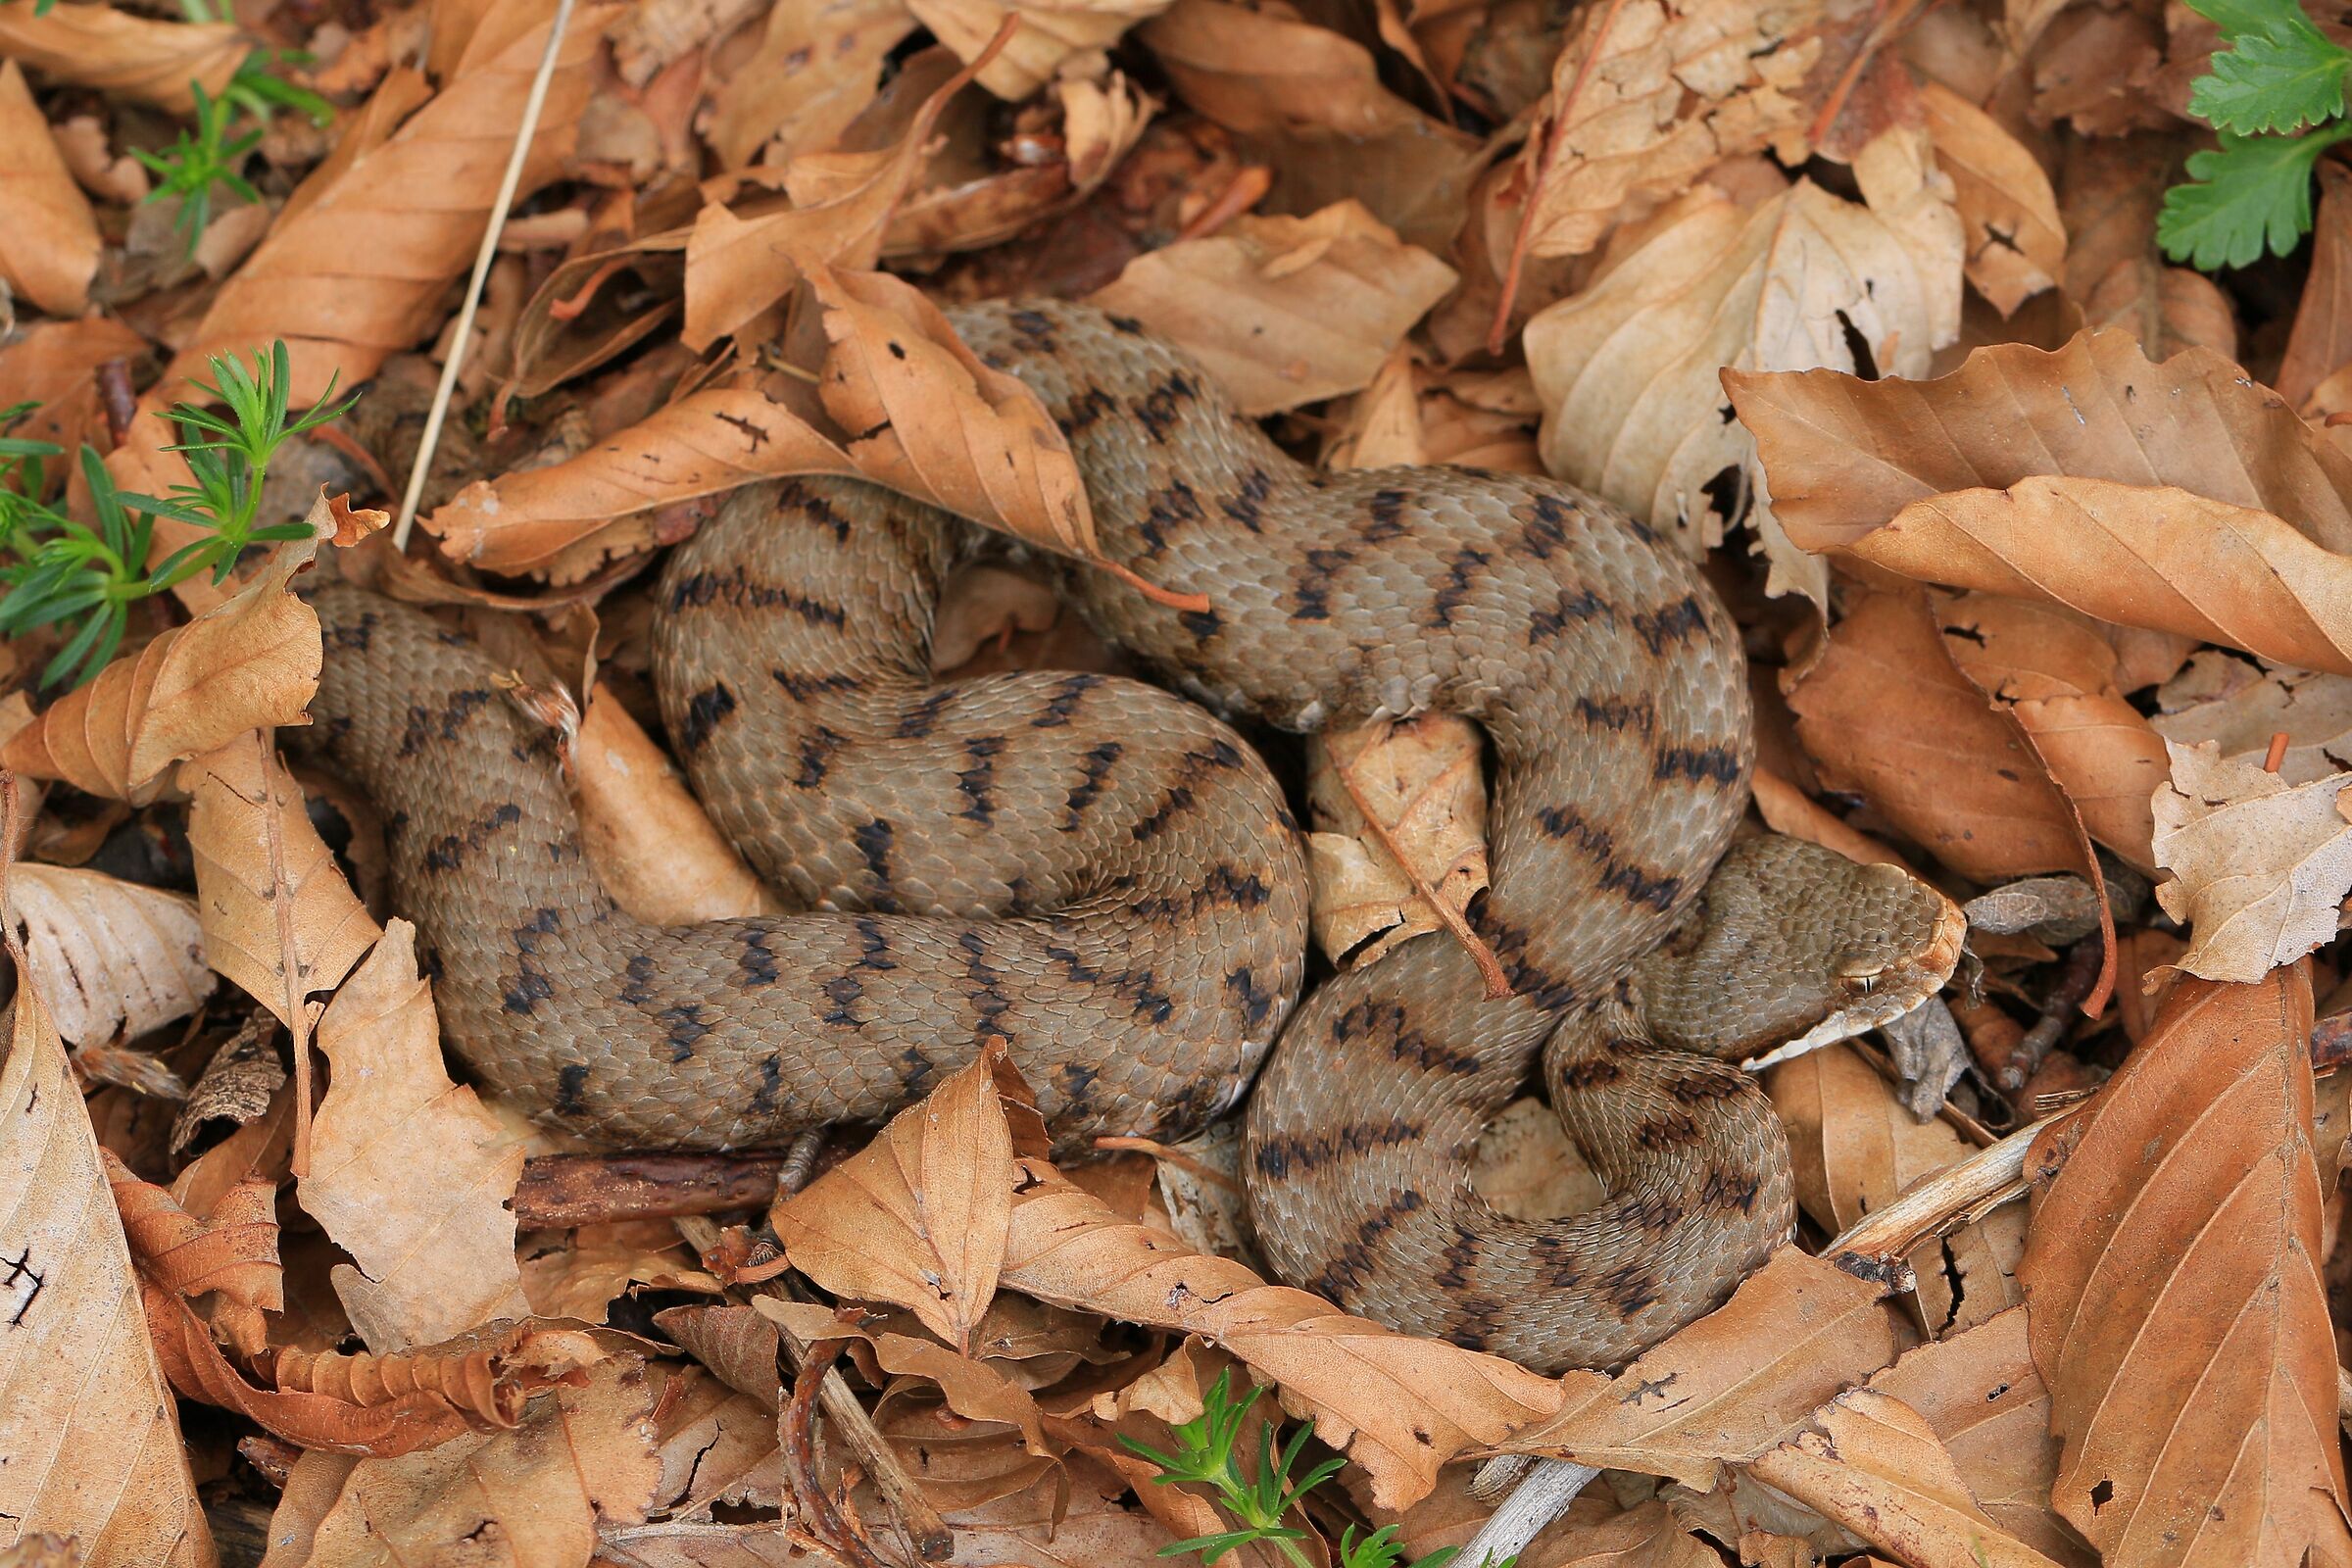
[(1107, 878)]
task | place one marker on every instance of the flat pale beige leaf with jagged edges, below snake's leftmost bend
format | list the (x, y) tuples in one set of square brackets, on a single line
[(408, 1172)]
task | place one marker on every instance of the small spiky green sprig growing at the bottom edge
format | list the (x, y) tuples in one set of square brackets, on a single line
[(1205, 1456)]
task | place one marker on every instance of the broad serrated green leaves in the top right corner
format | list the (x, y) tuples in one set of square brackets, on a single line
[(2276, 98)]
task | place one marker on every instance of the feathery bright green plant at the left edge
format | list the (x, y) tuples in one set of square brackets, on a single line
[(65, 572)]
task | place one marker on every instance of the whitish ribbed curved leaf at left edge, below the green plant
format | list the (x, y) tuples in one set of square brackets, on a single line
[(109, 958)]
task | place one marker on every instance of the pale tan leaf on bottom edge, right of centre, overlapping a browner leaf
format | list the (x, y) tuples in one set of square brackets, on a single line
[(1878, 1470)]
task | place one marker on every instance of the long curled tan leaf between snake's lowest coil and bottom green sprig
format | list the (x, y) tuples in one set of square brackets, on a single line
[(1401, 1407)]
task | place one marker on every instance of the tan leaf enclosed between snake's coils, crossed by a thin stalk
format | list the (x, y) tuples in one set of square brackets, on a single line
[(1429, 793)]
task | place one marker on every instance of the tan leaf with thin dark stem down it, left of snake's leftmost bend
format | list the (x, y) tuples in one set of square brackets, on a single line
[(246, 810)]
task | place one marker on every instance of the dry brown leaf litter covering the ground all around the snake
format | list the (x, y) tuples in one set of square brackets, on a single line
[(2038, 540)]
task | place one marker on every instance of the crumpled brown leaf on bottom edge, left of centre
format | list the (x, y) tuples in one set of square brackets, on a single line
[(526, 1499)]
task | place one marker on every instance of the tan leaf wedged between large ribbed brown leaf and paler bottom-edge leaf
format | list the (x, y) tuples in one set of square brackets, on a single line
[(1984, 1400)]
